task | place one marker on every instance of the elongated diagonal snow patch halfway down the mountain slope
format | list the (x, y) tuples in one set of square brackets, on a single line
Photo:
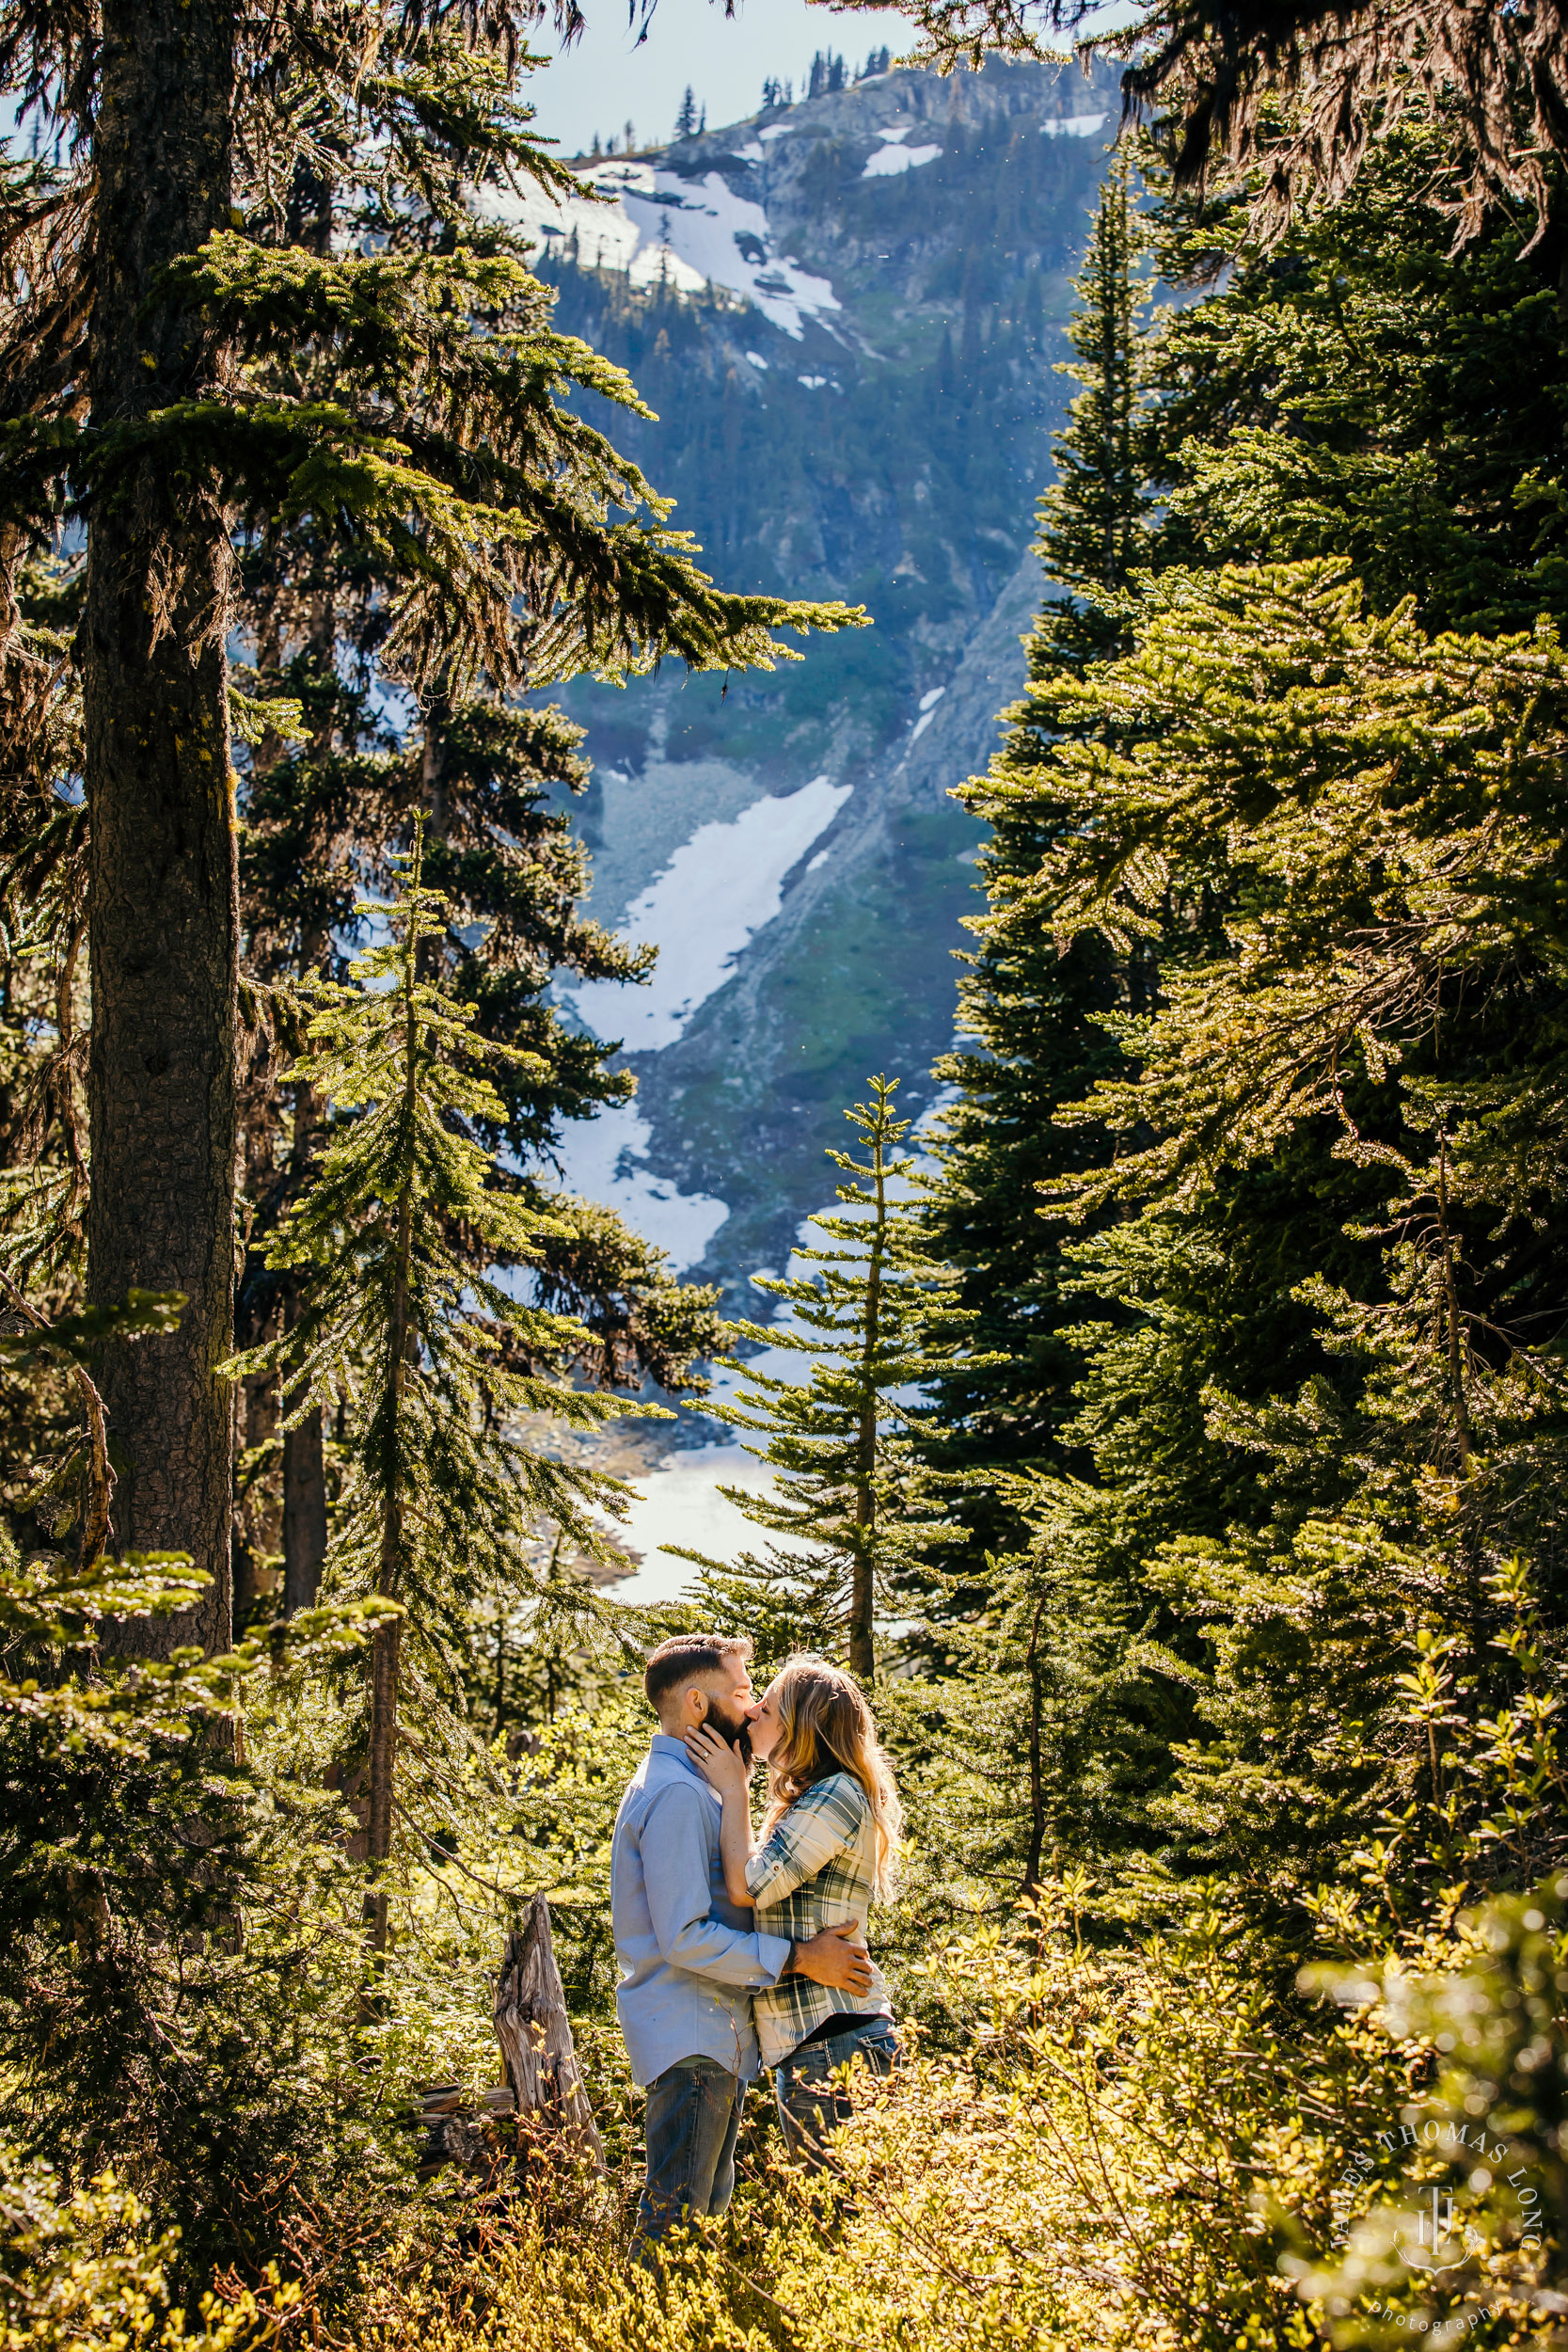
[(702, 911)]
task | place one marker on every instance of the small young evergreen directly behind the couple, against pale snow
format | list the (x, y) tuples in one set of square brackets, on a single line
[(873, 1325)]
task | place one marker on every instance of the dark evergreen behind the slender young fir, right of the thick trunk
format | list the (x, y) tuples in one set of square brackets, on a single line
[(502, 855)]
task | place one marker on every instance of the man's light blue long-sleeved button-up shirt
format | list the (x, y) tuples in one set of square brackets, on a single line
[(688, 1958)]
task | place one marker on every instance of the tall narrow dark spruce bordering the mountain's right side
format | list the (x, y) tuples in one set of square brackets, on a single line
[(1033, 1001)]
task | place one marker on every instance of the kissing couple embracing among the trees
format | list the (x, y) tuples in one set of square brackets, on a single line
[(742, 1953)]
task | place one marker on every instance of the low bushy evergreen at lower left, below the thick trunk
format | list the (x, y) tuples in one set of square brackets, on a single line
[(133, 1831)]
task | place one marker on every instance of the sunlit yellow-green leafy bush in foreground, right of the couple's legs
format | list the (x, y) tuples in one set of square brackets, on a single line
[(1127, 2153)]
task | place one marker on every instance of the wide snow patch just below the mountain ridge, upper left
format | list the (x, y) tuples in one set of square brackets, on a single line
[(664, 227)]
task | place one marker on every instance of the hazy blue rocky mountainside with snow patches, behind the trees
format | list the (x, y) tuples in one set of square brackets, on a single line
[(847, 316)]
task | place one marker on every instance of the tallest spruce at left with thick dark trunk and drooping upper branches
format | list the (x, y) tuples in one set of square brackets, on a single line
[(199, 363)]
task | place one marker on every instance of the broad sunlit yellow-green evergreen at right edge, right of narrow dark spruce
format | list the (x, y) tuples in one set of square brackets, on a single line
[(1327, 1412)]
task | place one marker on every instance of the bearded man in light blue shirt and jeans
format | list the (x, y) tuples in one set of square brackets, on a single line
[(688, 1958)]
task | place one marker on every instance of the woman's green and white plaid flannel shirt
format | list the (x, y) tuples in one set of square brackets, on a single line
[(817, 1871)]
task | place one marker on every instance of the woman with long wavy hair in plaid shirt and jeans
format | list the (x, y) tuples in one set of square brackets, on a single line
[(829, 1852)]
